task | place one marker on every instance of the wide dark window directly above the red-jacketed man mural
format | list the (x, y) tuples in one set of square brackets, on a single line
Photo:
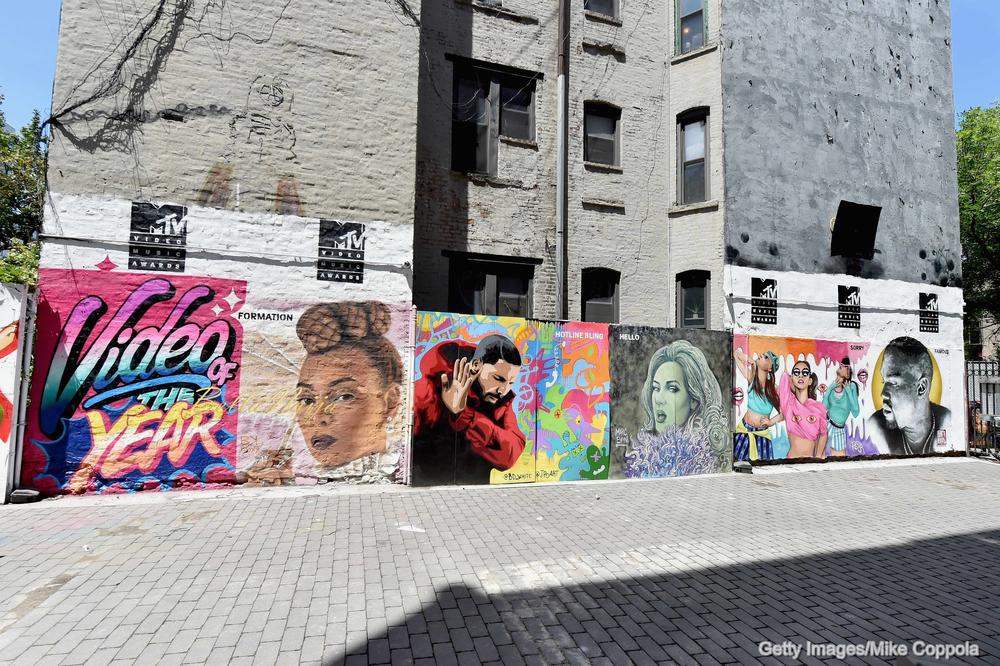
[(492, 268)]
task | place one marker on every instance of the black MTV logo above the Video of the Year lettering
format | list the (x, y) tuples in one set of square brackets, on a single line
[(158, 238)]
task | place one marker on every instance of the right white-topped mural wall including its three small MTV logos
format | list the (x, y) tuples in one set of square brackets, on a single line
[(829, 366)]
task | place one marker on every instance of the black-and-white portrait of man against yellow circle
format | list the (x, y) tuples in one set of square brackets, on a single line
[(906, 389)]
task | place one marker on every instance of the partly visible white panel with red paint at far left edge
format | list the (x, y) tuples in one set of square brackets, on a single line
[(12, 309)]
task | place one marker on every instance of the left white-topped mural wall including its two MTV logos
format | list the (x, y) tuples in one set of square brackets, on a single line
[(185, 347)]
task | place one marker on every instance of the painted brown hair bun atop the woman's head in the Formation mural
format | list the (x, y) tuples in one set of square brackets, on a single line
[(327, 325)]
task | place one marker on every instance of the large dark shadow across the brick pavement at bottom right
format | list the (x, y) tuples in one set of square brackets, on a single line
[(939, 591)]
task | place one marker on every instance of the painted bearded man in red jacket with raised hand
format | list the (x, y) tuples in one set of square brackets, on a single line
[(464, 425)]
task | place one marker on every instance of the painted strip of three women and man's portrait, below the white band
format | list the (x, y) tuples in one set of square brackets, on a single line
[(799, 398)]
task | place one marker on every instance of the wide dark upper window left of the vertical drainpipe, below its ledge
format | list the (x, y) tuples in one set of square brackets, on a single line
[(491, 81)]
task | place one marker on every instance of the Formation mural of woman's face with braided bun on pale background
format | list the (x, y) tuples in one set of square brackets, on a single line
[(322, 392)]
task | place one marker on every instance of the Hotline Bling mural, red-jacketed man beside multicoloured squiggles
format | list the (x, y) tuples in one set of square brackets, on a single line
[(503, 400)]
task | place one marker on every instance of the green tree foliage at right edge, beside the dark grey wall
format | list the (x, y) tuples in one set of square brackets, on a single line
[(979, 209)]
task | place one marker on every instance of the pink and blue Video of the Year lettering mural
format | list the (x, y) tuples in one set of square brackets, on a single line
[(135, 382)]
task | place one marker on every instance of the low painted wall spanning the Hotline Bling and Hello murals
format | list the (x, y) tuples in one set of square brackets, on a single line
[(499, 400)]
